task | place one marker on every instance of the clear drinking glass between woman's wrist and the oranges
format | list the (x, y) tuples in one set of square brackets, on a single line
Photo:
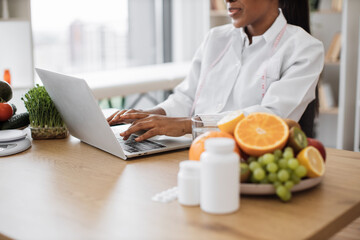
[(204, 123)]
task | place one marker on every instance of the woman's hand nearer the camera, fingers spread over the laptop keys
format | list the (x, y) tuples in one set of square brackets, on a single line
[(155, 125)]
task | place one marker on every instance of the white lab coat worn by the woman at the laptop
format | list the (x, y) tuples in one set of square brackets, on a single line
[(234, 75)]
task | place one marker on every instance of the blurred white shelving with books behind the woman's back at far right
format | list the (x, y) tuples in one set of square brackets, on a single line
[(338, 19)]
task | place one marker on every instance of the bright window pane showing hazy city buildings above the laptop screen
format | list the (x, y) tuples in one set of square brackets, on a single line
[(80, 36)]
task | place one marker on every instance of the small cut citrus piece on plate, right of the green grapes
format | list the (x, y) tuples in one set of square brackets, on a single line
[(312, 160)]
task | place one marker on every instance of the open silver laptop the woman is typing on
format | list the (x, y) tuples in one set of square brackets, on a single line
[(85, 120)]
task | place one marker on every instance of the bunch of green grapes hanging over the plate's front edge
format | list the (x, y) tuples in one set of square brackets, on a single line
[(279, 168)]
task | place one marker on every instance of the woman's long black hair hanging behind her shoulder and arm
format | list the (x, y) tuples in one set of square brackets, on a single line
[(297, 13)]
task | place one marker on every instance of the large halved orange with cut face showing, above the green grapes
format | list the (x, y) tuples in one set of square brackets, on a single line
[(261, 133)]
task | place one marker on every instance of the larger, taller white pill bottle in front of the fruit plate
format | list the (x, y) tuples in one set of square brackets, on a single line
[(219, 181)]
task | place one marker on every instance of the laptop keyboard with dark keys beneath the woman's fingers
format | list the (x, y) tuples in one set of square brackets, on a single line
[(132, 146)]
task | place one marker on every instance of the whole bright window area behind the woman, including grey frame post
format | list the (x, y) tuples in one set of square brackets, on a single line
[(83, 36)]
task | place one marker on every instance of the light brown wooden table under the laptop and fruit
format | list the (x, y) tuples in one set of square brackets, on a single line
[(64, 189)]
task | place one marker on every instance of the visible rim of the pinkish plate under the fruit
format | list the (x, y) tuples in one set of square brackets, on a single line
[(268, 189)]
